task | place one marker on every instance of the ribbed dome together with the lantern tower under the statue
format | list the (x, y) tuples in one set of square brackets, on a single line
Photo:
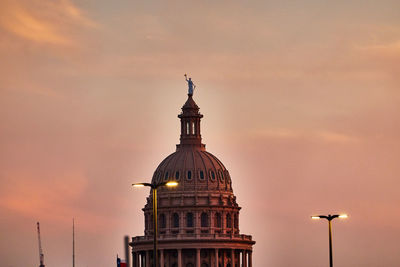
[(191, 165)]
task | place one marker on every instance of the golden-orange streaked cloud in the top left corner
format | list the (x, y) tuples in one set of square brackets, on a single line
[(44, 22)]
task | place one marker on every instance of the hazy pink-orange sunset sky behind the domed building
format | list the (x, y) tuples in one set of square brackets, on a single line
[(300, 99)]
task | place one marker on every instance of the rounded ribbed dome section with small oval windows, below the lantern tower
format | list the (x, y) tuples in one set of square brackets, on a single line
[(195, 169)]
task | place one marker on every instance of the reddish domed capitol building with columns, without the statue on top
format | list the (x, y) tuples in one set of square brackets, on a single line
[(198, 220)]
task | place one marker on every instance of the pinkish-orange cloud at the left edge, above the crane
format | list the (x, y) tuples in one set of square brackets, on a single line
[(49, 198)]
